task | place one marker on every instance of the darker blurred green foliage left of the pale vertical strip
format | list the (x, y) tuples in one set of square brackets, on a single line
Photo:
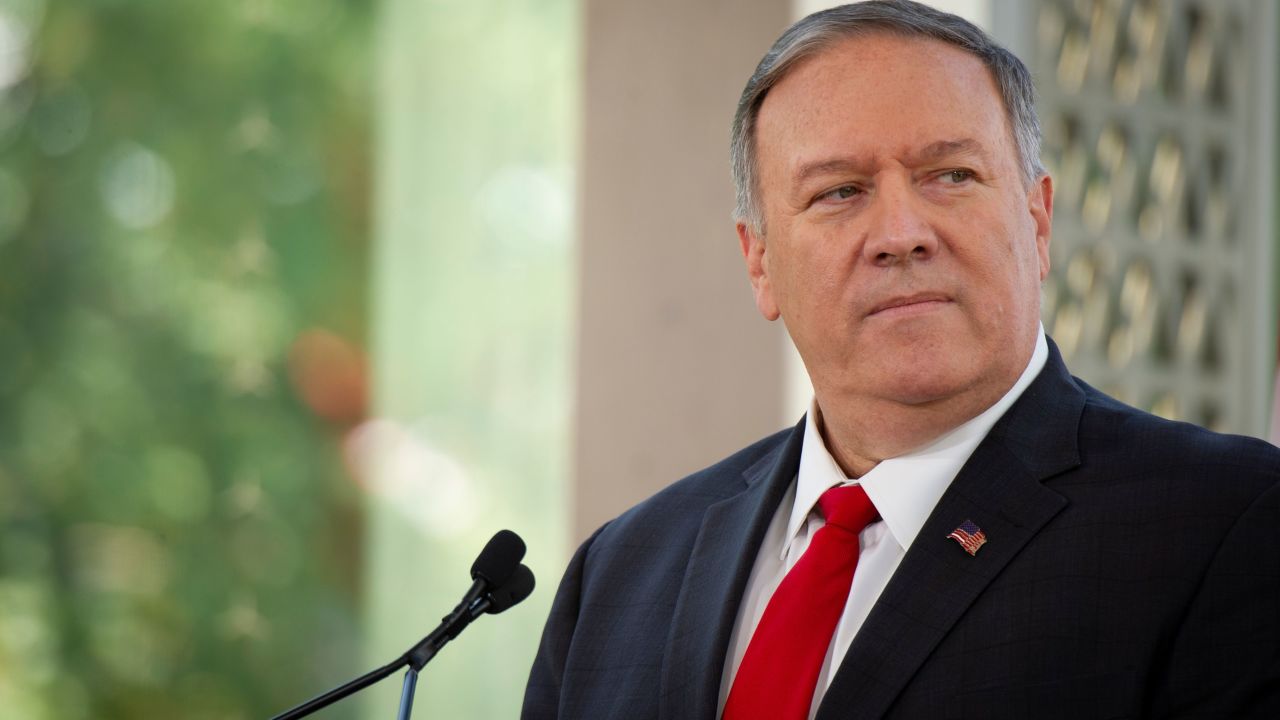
[(184, 252)]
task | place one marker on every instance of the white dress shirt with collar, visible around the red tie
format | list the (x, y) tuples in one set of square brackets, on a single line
[(904, 491)]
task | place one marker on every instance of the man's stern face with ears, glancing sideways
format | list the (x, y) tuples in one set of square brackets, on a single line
[(902, 244)]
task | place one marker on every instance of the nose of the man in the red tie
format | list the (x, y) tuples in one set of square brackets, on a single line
[(899, 229)]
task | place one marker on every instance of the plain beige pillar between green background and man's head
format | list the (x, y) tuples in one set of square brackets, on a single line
[(676, 370)]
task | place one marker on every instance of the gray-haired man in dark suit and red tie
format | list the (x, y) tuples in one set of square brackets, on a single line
[(1021, 545)]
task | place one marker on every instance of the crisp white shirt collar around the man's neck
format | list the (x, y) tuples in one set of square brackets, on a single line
[(903, 489)]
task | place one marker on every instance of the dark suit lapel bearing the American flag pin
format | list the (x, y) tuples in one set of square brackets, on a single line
[(1000, 489)]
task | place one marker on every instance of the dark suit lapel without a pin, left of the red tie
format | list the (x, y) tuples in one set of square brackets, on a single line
[(712, 590)]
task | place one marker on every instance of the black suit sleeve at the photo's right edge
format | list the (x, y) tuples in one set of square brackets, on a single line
[(1226, 660)]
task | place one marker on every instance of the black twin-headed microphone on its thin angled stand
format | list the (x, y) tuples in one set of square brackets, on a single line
[(500, 582)]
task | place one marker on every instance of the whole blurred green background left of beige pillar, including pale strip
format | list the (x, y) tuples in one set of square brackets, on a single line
[(220, 224)]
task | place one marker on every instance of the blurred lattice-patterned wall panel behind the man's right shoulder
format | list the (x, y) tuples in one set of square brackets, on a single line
[(1151, 113)]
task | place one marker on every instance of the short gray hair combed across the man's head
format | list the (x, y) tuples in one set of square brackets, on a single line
[(822, 30)]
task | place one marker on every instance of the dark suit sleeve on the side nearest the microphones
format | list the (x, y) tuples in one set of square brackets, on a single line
[(543, 692)]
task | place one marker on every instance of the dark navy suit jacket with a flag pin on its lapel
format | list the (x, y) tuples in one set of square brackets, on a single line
[(1132, 571)]
